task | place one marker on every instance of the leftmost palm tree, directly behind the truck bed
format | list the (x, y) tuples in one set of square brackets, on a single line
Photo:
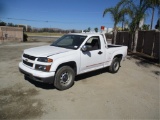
[(117, 14)]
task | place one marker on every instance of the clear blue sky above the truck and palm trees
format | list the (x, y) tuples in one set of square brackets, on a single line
[(65, 14)]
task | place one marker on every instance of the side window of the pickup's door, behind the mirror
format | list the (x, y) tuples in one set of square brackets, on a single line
[(94, 42)]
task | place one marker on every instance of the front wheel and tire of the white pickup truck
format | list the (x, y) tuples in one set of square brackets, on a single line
[(64, 78)]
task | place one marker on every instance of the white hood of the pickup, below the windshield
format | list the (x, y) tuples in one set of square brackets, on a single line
[(45, 51)]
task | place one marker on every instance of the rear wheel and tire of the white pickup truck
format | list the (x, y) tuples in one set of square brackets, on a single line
[(115, 65)]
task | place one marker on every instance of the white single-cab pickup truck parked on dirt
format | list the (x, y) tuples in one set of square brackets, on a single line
[(71, 55)]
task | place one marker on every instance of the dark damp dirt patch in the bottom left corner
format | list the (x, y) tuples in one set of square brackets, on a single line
[(17, 103)]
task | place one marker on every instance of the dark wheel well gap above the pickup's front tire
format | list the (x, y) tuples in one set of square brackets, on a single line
[(71, 64)]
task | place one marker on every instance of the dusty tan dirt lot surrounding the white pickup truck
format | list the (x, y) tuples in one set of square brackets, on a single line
[(132, 93)]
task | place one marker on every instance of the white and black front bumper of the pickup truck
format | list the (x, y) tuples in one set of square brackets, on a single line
[(46, 77)]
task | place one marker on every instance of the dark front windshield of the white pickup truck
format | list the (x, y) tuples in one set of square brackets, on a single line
[(69, 41)]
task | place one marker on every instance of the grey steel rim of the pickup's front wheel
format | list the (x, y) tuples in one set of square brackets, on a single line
[(65, 78)]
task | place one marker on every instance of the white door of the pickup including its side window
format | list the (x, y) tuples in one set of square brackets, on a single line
[(93, 58)]
